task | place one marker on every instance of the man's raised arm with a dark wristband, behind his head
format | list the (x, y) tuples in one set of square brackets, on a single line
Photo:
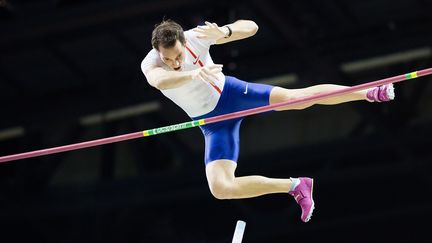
[(238, 30)]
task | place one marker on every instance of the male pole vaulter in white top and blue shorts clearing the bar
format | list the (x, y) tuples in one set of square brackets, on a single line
[(180, 66)]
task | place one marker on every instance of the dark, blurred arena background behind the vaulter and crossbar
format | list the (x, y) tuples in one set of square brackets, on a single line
[(70, 72)]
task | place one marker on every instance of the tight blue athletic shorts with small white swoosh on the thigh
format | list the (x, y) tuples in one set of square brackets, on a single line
[(222, 139)]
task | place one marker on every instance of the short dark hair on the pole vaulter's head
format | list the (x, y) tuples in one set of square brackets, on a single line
[(166, 34)]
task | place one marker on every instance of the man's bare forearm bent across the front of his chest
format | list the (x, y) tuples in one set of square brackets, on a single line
[(163, 79)]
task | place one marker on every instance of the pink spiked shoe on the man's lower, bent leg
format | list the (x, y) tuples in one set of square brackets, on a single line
[(303, 195)]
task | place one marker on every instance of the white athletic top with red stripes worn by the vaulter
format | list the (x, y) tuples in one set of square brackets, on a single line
[(195, 97)]
